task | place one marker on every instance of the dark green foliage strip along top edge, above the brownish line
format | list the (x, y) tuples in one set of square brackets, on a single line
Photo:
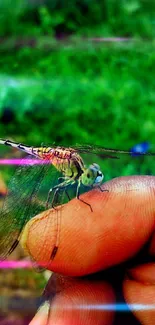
[(98, 18)]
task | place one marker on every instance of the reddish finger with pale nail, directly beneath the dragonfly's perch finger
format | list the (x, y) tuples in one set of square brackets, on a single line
[(76, 302)]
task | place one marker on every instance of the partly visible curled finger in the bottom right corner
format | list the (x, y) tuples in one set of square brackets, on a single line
[(139, 292)]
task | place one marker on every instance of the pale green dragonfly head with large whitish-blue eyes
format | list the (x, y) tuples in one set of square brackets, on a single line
[(92, 176)]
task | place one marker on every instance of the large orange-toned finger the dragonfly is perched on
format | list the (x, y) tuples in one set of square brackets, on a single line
[(121, 222)]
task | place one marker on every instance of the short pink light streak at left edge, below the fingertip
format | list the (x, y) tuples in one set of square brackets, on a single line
[(15, 264)]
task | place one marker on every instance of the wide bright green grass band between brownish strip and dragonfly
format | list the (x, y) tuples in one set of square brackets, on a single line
[(101, 96)]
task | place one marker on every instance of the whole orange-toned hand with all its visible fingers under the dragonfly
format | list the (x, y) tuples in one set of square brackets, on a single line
[(122, 221)]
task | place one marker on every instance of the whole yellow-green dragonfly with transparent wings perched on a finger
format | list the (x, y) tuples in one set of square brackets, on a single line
[(21, 202)]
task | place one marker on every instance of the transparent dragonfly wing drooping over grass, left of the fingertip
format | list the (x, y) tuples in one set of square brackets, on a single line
[(27, 195)]
